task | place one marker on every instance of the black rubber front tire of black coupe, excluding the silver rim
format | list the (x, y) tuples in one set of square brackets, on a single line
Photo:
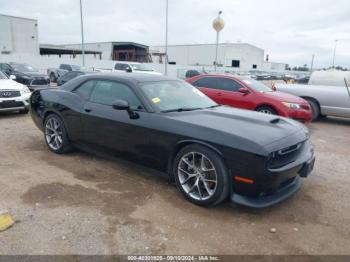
[(222, 189)]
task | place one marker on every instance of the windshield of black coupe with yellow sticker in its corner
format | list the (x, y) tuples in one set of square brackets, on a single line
[(173, 95)]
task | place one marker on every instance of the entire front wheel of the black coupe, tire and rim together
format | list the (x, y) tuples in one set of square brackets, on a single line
[(196, 182)]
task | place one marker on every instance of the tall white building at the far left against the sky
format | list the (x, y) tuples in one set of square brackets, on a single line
[(18, 35)]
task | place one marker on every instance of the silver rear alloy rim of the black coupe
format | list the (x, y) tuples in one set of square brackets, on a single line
[(53, 134)]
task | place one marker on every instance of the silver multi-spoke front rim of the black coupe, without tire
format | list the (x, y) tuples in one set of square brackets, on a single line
[(197, 176)]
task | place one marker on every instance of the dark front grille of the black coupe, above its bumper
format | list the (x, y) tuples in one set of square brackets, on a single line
[(285, 156)]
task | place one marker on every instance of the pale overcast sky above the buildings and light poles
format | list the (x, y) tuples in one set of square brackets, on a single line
[(289, 31)]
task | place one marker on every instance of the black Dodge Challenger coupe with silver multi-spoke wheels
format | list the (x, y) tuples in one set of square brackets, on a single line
[(212, 152)]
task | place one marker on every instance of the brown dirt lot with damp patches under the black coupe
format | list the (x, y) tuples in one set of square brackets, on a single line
[(82, 204)]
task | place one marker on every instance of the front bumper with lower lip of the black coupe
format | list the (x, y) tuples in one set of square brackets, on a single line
[(277, 184)]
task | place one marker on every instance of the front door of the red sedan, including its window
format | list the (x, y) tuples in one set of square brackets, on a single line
[(230, 95)]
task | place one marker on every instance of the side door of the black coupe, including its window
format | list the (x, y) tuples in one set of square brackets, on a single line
[(109, 129)]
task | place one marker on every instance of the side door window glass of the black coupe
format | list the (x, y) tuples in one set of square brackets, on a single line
[(106, 92)]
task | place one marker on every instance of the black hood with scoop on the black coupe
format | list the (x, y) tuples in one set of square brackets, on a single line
[(254, 132)]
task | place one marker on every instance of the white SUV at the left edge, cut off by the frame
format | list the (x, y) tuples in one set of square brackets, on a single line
[(13, 96)]
